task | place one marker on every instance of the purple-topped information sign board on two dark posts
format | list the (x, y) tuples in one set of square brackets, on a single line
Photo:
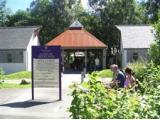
[(46, 67)]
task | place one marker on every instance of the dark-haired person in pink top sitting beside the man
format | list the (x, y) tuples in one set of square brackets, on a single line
[(130, 80)]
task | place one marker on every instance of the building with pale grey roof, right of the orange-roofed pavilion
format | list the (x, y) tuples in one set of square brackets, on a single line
[(135, 42)]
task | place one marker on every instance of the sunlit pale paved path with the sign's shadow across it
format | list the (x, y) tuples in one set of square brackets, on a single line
[(17, 103)]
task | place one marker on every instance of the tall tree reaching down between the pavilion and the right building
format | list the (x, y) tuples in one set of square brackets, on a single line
[(111, 13)]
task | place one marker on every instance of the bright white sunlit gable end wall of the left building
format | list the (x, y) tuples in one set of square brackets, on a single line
[(33, 42)]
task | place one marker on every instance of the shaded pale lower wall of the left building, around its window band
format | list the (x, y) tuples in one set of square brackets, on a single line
[(14, 67)]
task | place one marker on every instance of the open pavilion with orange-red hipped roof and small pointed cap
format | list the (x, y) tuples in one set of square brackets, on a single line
[(79, 48)]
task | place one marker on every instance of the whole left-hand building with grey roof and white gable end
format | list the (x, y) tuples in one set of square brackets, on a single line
[(15, 47)]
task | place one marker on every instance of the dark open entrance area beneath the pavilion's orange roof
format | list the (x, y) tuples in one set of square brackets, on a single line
[(77, 60)]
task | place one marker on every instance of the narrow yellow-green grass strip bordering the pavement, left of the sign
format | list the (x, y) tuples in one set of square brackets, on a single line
[(11, 85)]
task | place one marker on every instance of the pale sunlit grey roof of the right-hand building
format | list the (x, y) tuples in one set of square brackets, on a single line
[(136, 36)]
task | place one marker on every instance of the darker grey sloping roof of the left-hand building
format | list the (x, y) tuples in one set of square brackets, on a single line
[(16, 37)]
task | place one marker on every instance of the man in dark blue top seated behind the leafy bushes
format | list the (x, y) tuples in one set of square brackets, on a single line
[(118, 76)]
